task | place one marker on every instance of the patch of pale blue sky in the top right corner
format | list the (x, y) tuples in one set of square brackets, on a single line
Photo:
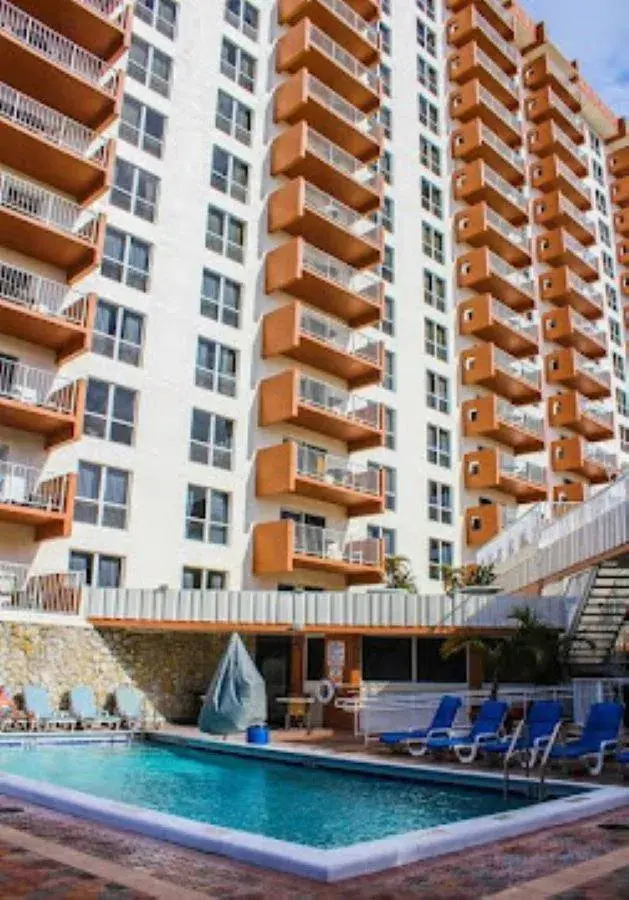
[(596, 32)]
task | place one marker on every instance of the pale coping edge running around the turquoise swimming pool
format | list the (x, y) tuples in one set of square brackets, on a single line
[(325, 865)]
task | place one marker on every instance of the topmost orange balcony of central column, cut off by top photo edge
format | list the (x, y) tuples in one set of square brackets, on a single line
[(340, 21)]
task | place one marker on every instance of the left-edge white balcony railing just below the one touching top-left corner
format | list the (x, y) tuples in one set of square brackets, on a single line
[(52, 125)]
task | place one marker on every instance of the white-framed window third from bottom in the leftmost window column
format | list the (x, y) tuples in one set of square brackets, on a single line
[(109, 412)]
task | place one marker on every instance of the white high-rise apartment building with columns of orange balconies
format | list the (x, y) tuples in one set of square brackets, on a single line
[(290, 286)]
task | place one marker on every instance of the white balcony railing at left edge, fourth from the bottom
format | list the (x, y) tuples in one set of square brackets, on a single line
[(50, 298)]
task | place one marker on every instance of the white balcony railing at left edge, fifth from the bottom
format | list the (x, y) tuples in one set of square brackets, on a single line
[(30, 200)]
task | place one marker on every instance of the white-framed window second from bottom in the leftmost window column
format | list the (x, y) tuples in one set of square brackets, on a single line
[(102, 496)]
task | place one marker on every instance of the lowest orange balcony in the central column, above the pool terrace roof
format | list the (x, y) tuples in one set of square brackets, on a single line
[(281, 547)]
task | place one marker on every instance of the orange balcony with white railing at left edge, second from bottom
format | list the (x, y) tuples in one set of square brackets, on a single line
[(29, 499)]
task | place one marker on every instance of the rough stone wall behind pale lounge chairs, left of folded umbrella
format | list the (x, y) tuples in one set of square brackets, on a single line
[(171, 669)]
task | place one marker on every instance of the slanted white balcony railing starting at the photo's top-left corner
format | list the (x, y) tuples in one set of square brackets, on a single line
[(53, 46)]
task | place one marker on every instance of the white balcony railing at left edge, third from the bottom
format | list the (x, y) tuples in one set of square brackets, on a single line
[(36, 387)]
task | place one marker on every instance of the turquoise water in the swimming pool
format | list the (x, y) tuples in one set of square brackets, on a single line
[(306, 805)]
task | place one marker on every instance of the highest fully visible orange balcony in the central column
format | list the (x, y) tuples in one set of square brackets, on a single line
[(307, 46)]
